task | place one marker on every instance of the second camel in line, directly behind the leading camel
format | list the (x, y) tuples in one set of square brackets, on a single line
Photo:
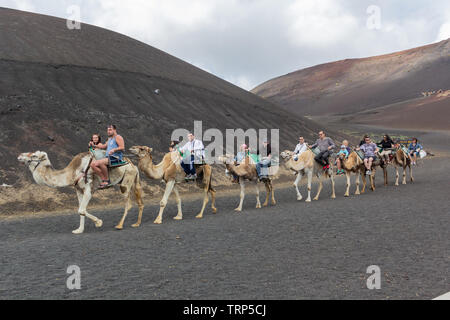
[(171, 172)]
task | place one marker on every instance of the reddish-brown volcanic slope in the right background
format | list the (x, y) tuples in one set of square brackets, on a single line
[(355, 85)]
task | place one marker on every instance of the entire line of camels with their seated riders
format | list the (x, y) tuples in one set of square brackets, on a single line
[(105, 166)]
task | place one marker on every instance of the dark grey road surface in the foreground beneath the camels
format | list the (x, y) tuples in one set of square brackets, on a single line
[(294, 250)]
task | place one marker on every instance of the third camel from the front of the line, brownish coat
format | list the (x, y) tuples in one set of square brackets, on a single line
[(246, 171)]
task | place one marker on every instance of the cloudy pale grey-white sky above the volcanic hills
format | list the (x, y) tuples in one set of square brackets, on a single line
[(248, 42)]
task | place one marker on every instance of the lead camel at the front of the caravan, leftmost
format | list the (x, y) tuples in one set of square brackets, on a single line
[(79, 175)]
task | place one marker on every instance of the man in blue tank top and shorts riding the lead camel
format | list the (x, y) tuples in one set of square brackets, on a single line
[(114, 153)]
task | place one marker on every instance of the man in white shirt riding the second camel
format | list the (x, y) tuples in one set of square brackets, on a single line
[(193, 153)]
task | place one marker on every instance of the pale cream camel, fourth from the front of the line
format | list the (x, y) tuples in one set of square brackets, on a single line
[(306, 165)]
